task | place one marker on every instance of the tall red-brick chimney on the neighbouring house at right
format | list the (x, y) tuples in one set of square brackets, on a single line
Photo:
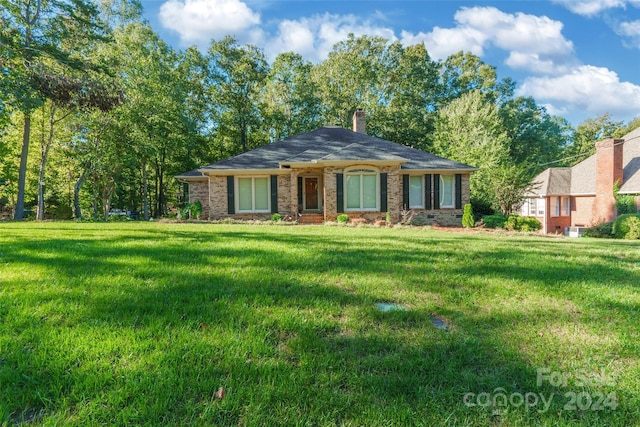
[(609, 170)]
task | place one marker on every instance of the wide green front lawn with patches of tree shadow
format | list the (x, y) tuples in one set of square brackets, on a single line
[(140, 324)]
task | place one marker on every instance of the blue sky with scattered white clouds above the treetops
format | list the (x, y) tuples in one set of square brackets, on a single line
[(578, 58)]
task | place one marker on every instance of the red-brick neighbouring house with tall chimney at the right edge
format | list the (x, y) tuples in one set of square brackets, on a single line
[(582, 196)]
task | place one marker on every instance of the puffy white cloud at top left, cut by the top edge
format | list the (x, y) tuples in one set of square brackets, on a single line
[(198, 21)]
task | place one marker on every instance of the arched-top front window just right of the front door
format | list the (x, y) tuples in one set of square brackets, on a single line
[(361, 190)]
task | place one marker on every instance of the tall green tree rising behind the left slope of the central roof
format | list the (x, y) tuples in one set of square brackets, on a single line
[(237, 76)]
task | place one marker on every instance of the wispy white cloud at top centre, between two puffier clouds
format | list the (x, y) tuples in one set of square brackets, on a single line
[(315, 36)]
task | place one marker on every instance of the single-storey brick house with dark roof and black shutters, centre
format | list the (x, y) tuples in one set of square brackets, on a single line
[(316, 176)]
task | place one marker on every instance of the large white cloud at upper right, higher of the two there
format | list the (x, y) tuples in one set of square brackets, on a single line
[(535, 43)]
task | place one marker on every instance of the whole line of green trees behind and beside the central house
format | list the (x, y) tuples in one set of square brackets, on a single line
[(97, 111)]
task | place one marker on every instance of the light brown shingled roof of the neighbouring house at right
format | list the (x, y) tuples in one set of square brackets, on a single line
[(581, 178)]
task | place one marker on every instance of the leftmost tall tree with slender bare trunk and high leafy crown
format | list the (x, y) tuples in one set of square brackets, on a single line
[(34, 39)]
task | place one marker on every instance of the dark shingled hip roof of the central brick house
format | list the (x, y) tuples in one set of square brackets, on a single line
[(331, 144)]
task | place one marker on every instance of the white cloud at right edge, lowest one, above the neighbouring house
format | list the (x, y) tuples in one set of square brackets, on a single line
[(588, 90)]
